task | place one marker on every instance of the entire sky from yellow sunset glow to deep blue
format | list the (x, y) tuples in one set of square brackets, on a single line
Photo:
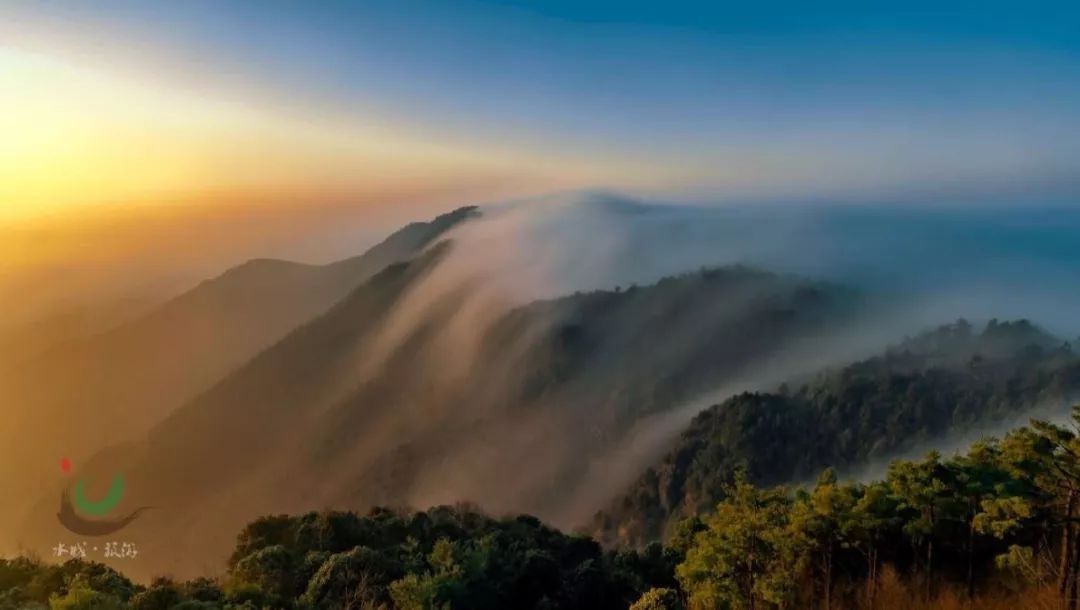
[(313, 116)]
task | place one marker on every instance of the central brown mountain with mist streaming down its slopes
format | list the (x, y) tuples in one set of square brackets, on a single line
[(411, 391)]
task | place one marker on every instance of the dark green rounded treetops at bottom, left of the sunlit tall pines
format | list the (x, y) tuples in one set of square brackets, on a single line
[(448, 558)]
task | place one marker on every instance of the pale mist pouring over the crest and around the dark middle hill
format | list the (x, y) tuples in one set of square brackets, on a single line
[(952, 264)]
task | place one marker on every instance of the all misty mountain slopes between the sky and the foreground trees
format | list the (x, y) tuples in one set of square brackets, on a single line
[(548, 358)]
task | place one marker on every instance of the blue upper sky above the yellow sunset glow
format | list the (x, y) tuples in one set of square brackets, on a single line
[(854, 101)]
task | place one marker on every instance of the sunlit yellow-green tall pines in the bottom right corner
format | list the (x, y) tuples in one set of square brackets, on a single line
[(1000, 520)]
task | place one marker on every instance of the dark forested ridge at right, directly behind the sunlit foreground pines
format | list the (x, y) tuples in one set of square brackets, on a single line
[(942, 389)]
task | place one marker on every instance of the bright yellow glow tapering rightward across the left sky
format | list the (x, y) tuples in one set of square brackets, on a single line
[(77, 139)]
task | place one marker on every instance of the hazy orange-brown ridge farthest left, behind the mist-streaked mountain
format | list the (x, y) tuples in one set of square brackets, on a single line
[(86, 395)]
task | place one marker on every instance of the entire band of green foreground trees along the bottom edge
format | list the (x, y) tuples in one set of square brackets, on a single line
[(994, 527)]
